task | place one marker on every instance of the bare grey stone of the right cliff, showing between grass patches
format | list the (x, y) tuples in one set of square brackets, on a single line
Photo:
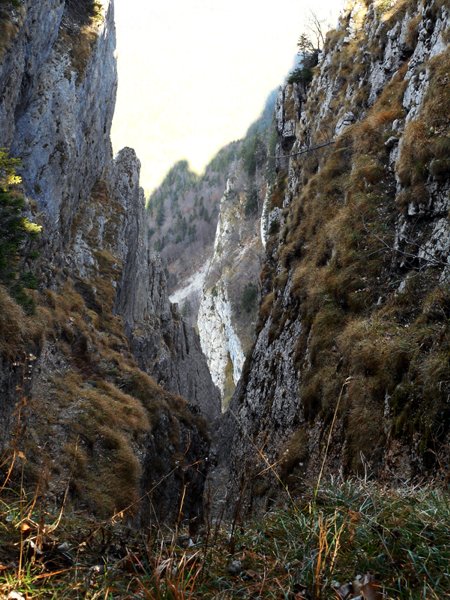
[(267, 414)]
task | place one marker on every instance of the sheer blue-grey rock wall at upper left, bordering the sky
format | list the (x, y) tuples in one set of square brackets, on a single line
[(58, 105)]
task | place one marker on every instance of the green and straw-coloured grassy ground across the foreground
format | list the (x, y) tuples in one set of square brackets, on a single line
[(346, 540)]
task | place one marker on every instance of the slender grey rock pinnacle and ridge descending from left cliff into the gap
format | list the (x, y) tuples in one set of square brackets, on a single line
[(163, 344)]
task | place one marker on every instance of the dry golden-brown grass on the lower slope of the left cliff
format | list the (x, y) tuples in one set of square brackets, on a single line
[(97, 411)]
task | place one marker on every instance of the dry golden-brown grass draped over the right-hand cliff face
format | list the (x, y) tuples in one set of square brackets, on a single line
[(337, 252)]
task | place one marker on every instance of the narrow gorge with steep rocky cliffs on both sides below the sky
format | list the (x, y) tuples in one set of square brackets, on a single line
[(220, 350)]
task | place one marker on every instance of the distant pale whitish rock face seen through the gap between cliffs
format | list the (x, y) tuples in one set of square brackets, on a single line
[(230, 295)]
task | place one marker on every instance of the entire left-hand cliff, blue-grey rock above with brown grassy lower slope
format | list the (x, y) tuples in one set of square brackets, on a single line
[(94, 419)]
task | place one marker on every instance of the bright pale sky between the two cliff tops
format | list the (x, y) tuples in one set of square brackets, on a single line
[(194, 74)]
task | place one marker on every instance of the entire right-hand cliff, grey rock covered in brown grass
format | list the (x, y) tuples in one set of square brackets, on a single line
[(350, 369)]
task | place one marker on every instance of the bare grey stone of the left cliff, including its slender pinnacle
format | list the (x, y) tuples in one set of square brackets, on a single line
[(60, 127)]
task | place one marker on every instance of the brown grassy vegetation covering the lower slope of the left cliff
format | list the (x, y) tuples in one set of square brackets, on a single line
[(86, 416)]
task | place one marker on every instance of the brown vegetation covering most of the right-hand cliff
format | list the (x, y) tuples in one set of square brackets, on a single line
[(362, 291)]
